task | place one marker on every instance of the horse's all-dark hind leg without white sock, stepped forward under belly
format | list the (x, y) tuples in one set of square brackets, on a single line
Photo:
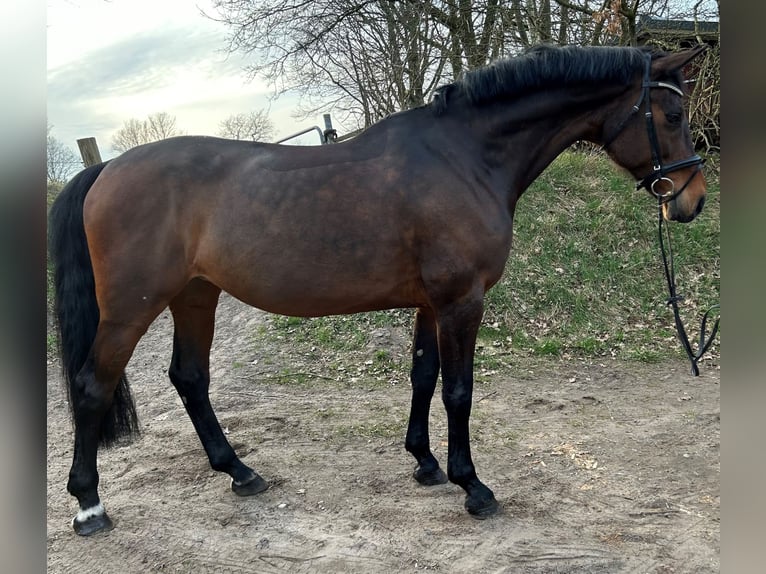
[(194, 317)]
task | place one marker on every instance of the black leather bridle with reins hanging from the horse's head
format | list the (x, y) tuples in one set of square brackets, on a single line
[(659, 174)]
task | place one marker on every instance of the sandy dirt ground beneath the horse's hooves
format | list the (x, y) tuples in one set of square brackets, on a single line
[(598, 468)]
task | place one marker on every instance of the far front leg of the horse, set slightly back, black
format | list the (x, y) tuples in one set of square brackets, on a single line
[(423, 376)]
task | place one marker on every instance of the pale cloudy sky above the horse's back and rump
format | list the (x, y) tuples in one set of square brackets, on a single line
[(112, 60)]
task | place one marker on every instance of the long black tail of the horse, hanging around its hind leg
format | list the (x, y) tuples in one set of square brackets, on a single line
[(75, 302)]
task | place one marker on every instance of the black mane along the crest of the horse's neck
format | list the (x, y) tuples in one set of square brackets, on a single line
[(544, 67)]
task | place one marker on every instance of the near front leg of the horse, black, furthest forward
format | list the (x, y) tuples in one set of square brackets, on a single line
[(458, 327)]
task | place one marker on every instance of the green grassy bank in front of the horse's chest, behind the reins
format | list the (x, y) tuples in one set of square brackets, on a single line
[(585, 275)]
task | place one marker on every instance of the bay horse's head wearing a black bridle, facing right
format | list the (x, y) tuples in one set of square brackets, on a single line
[(652, 140)]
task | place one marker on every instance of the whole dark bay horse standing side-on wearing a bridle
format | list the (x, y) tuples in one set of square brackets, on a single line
[(415, 212)]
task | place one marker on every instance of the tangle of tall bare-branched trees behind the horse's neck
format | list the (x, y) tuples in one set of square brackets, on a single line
[(365, 59)]
